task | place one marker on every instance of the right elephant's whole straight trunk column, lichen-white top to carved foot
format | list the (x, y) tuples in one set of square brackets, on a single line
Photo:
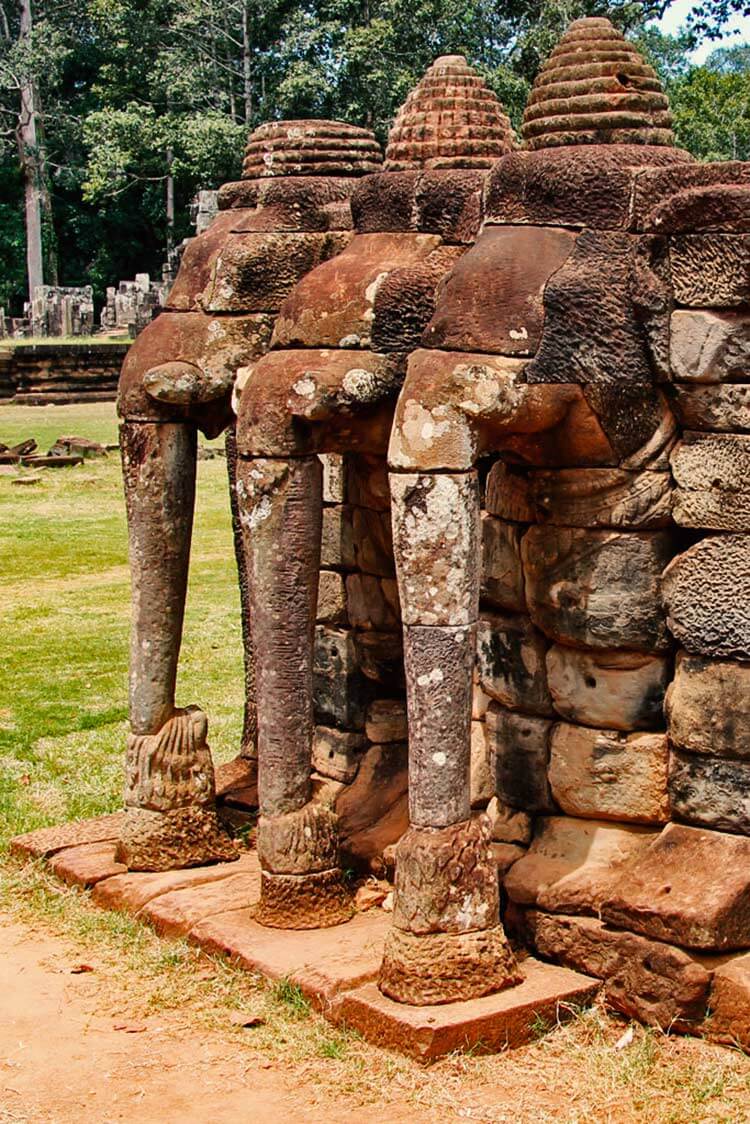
[(447, 942)]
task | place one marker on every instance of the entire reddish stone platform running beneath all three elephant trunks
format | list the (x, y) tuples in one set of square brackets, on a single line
[(337, 968)]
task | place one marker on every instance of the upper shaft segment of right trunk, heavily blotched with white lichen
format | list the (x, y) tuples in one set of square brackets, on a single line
[(436, 534)]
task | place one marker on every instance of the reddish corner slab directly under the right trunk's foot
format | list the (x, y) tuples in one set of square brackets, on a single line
[(496, 1022)]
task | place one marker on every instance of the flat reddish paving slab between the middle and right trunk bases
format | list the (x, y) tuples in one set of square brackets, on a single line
[(322, 963)]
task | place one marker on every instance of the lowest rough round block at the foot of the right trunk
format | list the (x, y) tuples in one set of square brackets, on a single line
[(447, 967)]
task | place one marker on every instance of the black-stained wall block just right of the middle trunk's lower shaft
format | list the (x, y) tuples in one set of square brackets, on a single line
[(341, 692)]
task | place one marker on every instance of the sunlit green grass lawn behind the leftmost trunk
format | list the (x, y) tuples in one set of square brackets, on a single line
[(65, 613)]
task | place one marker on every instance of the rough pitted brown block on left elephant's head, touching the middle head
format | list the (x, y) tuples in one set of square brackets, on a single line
[(255, 273)]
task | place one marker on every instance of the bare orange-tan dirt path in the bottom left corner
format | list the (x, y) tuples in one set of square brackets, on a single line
[(64, 1059)]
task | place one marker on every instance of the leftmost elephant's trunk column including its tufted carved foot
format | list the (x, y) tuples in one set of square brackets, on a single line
[(169, 793)]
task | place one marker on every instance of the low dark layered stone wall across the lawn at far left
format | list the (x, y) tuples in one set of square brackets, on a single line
[(64, 374)]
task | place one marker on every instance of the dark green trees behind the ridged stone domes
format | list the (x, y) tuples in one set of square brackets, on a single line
[(141, 103)]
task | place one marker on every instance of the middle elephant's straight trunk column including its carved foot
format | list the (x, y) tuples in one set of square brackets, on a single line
[(281, 512)]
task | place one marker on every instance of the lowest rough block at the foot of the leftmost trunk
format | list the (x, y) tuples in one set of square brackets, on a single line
[(189, 837)]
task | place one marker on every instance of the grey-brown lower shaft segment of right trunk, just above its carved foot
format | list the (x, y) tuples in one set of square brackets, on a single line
[(440, 661)]
